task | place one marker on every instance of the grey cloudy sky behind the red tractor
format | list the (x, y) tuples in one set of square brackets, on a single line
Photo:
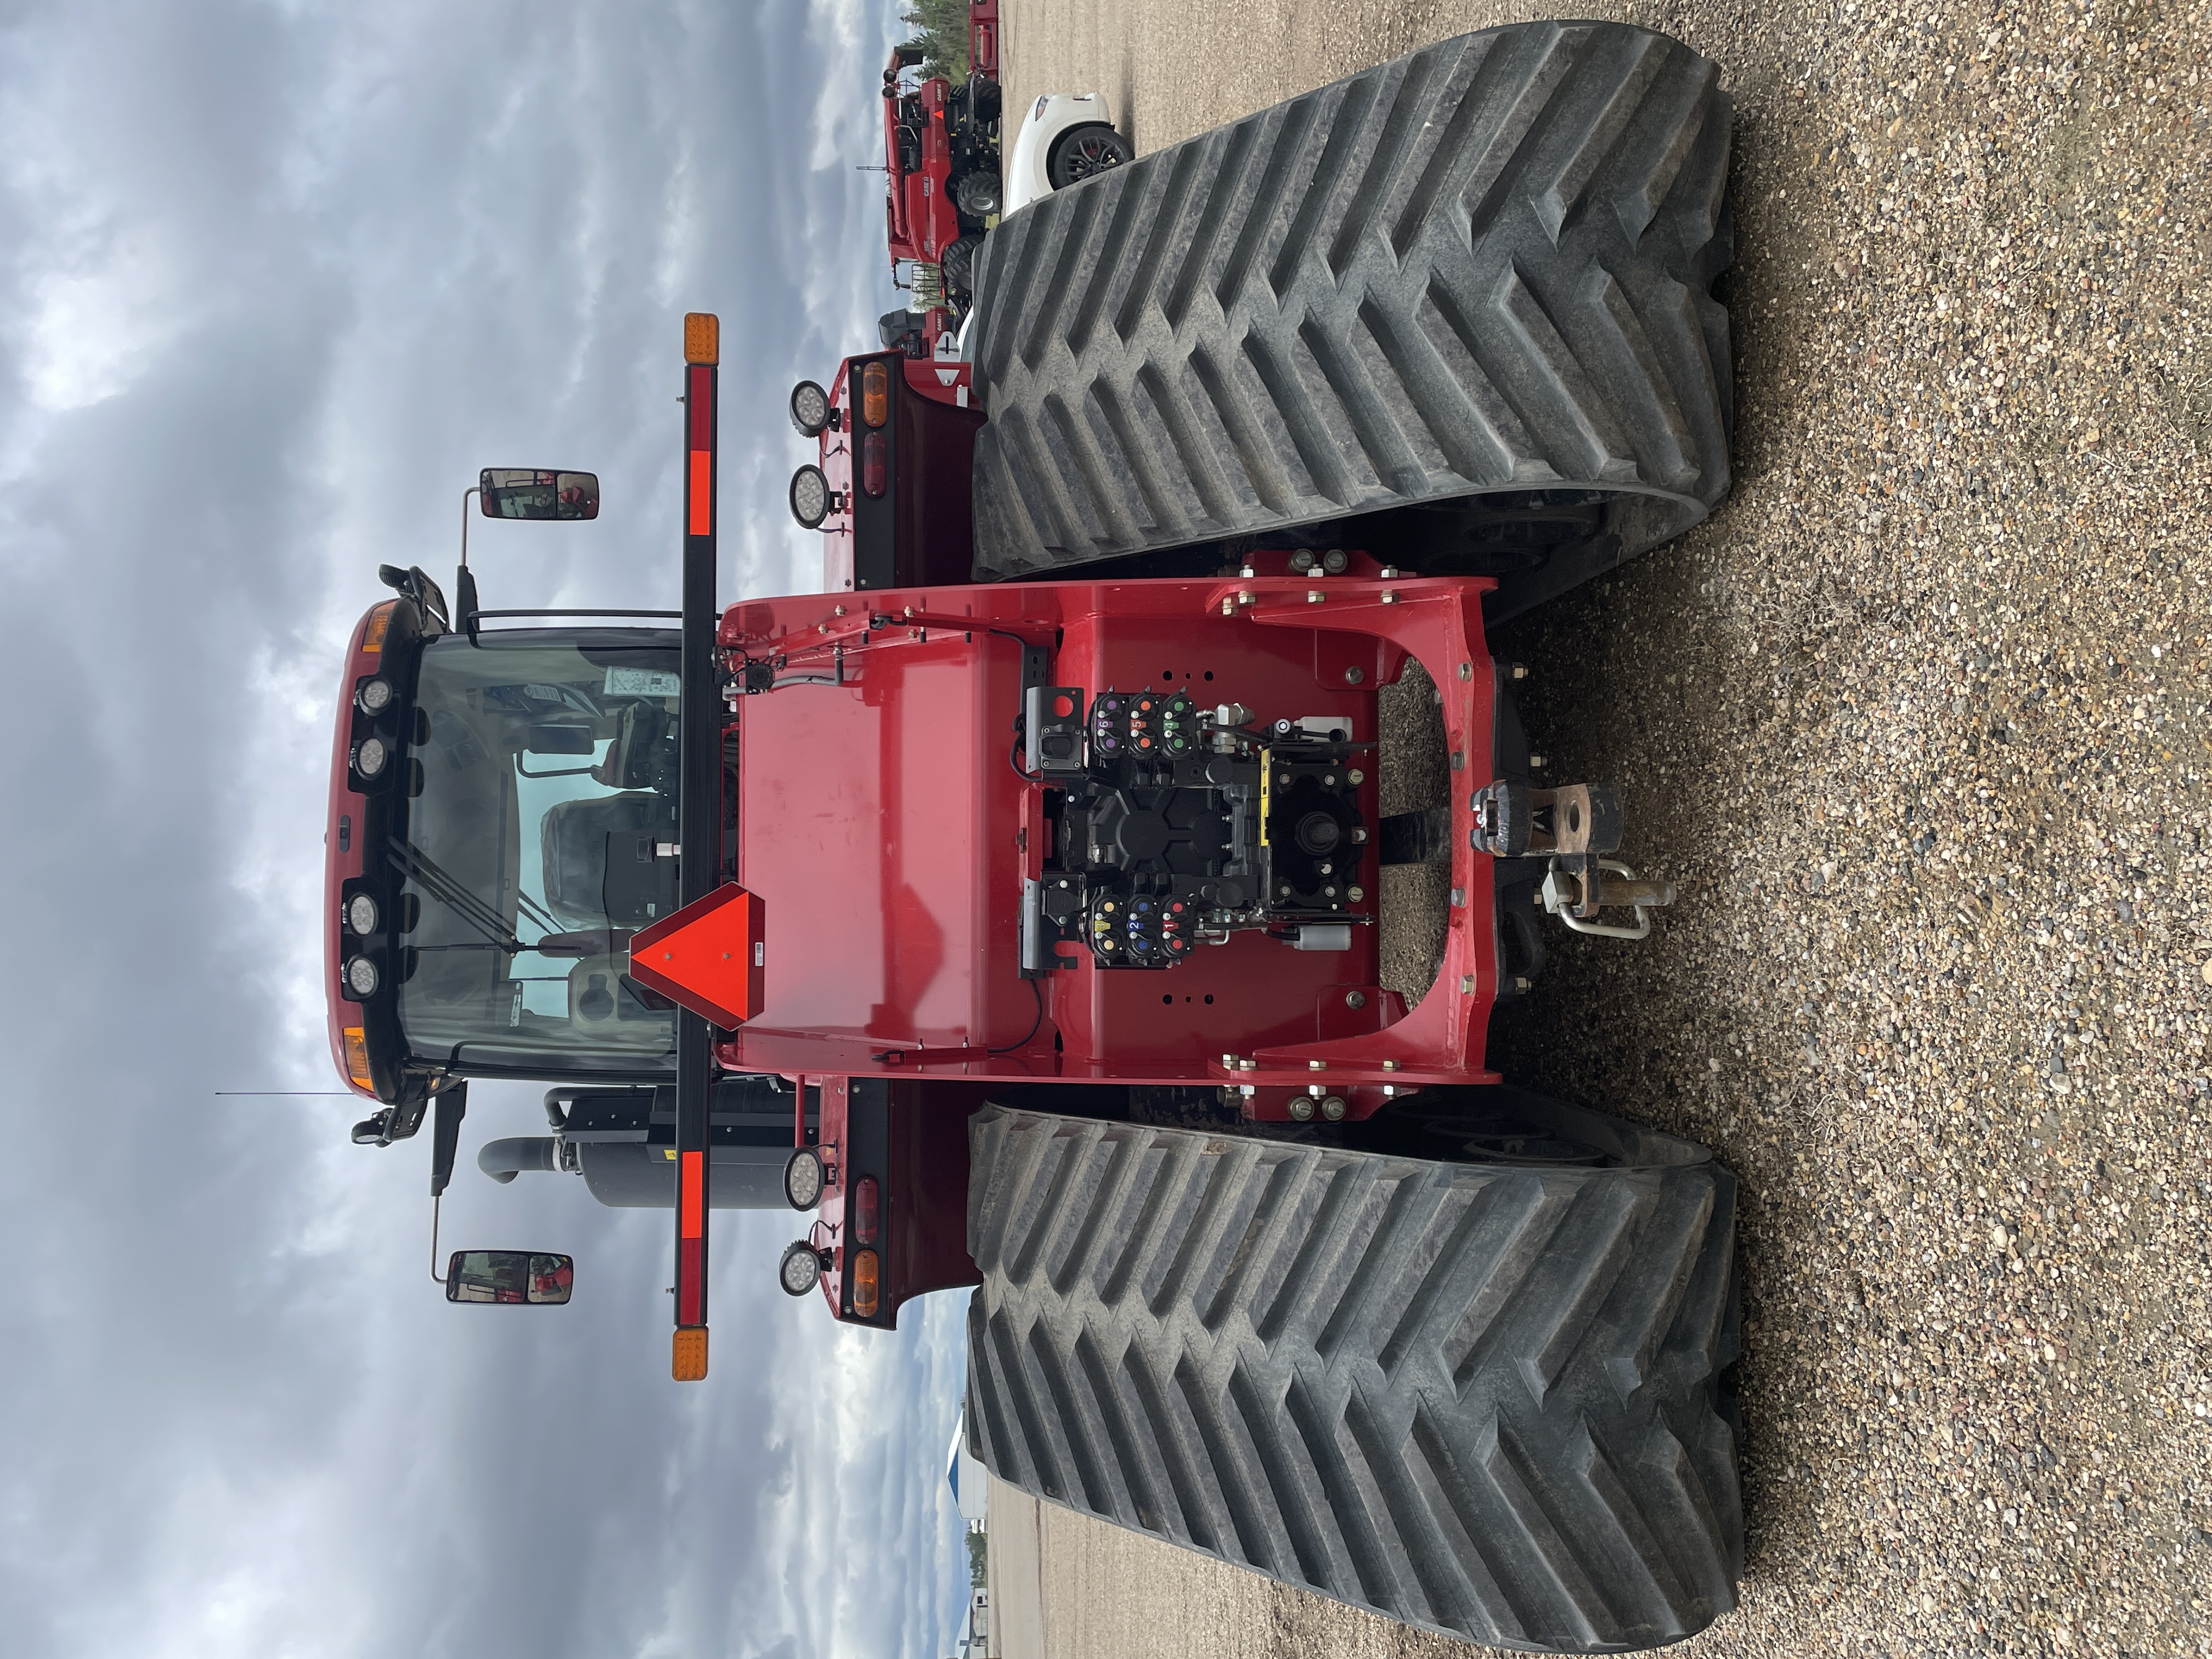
[(275, 280)]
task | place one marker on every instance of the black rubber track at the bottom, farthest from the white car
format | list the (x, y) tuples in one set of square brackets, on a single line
[(1481, 1401)]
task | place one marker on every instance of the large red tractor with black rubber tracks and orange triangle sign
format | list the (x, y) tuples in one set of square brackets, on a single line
[(1012, 908)]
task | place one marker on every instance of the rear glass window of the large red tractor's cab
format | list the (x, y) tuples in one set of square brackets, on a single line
[(541, 842)]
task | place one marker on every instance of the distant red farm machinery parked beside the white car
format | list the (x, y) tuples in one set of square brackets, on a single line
[(943, 182)]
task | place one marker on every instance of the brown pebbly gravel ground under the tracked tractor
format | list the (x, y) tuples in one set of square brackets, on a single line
[(1919, 722)]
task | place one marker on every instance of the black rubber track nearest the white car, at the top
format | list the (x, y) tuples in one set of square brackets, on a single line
[(1485, 267)]
